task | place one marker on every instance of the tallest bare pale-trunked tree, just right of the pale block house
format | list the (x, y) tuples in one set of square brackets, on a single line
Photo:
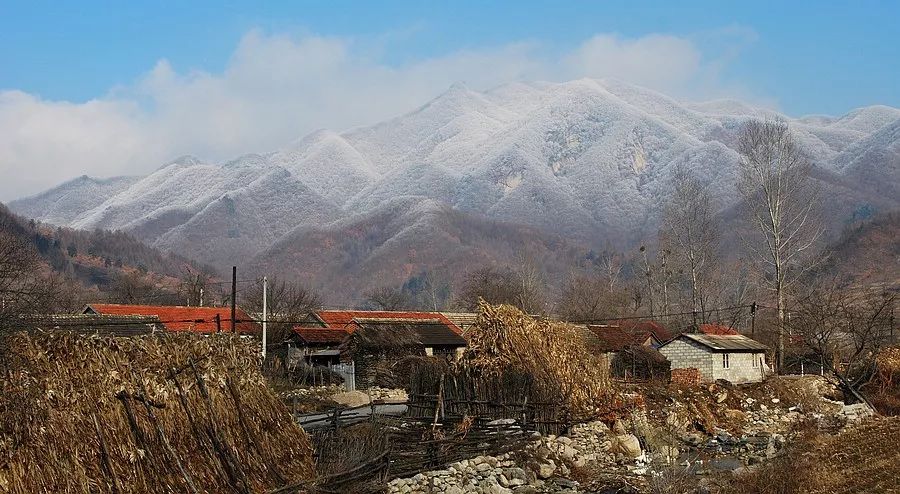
[(781, 200)]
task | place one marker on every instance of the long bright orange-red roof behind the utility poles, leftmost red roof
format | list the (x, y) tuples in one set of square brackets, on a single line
[(180, 318)]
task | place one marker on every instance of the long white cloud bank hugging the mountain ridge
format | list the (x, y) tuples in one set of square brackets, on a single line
[(276, 88)]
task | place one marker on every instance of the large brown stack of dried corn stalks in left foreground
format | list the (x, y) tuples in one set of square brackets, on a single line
[(169, 413)]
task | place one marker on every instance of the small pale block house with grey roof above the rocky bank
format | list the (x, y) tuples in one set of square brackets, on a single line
[(732, 357)]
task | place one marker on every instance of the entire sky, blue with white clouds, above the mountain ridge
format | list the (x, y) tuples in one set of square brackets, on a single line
[(113, 88)]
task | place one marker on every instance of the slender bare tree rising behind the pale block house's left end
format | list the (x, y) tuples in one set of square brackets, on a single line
[(691, 226)]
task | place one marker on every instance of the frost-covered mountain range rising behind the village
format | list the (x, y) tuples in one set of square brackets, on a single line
[(565, 166)]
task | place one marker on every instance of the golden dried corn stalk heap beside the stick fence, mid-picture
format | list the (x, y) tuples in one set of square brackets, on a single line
[(505, 341)]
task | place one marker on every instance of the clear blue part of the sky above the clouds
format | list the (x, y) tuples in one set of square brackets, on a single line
[(809, 57)]
